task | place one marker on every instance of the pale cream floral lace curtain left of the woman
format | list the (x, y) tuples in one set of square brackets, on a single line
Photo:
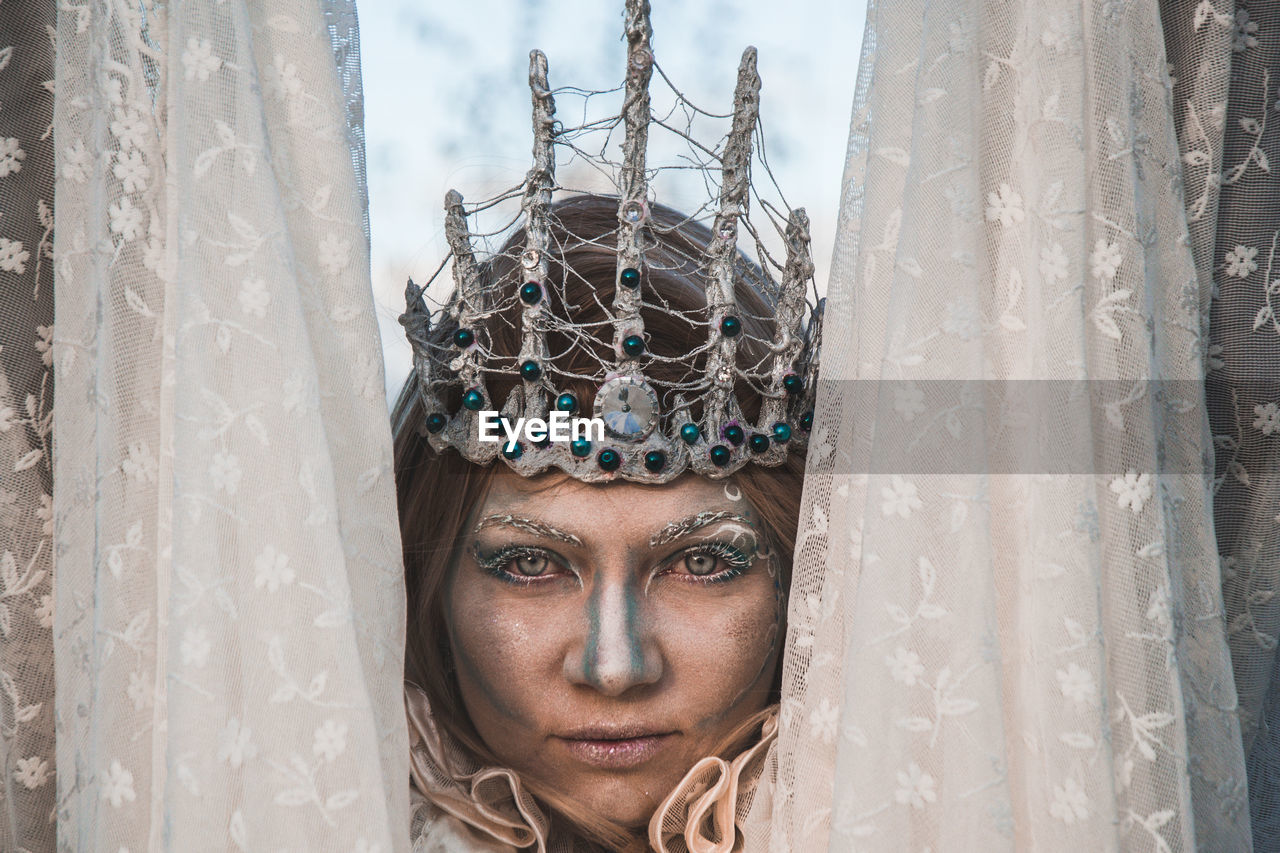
[(230, 604)]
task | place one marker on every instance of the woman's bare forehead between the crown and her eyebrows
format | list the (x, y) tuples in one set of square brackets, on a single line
[(607, 509)]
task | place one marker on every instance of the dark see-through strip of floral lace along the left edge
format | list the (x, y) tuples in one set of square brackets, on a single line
[(29, 788)]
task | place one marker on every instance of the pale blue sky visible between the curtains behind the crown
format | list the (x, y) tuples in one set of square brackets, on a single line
[(447, 106)]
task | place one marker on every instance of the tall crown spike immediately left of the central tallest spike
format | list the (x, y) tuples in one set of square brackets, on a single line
[(533, 261)]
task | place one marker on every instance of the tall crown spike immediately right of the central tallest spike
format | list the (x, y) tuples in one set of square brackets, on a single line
[(735, 188)]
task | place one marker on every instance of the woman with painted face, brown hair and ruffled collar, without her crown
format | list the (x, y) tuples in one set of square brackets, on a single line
[(577, 649)]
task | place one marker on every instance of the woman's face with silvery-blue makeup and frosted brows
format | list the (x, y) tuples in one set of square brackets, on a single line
[(607, 637)]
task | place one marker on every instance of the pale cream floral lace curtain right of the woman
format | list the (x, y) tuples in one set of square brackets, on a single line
[(1007, 630)]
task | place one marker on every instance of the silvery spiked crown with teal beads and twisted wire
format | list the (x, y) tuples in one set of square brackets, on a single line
[(632, 432)]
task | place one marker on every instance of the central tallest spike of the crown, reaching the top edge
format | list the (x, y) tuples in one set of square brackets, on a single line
[(633, 189)]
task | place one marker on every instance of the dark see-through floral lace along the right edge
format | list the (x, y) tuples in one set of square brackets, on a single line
[(1231, 140)]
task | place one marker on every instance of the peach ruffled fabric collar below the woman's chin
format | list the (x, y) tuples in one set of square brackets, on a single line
[(701, 815)]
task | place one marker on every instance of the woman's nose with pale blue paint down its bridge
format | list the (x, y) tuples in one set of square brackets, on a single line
[(619, 651)]
